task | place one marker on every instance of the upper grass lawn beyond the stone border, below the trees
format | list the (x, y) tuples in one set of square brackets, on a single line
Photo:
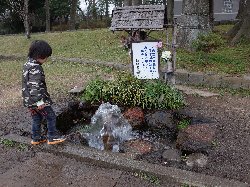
[(103, 45)]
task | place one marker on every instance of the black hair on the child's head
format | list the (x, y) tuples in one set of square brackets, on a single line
[(39, 49)]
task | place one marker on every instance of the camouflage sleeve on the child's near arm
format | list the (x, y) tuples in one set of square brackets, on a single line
[(36, 83)]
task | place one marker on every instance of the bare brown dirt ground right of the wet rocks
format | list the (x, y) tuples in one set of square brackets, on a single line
[(231, 116)]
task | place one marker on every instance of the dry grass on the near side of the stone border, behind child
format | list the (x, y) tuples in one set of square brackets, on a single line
[(60, 78)]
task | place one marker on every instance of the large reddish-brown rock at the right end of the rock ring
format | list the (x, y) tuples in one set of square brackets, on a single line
[(196, 138)]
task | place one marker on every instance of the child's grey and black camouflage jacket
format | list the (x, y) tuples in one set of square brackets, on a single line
[(34, 88)]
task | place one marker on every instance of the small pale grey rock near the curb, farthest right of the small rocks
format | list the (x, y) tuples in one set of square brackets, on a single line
[(197, 160)]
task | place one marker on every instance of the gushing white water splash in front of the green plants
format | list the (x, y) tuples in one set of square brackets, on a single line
[(108, 128)]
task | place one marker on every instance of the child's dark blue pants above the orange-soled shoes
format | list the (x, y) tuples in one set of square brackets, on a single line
[(37, 118)]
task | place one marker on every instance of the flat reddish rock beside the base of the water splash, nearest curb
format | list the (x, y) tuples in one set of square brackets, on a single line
[(137, 146)]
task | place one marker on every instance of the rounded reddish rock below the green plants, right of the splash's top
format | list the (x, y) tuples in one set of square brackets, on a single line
[(135, 117)]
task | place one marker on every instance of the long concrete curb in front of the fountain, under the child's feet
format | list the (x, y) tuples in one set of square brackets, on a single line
[(119, 161)]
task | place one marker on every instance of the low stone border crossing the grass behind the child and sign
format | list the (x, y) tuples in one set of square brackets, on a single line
[(181, 76)]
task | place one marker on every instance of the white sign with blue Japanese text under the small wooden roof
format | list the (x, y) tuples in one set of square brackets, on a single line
[(145, 60)]
